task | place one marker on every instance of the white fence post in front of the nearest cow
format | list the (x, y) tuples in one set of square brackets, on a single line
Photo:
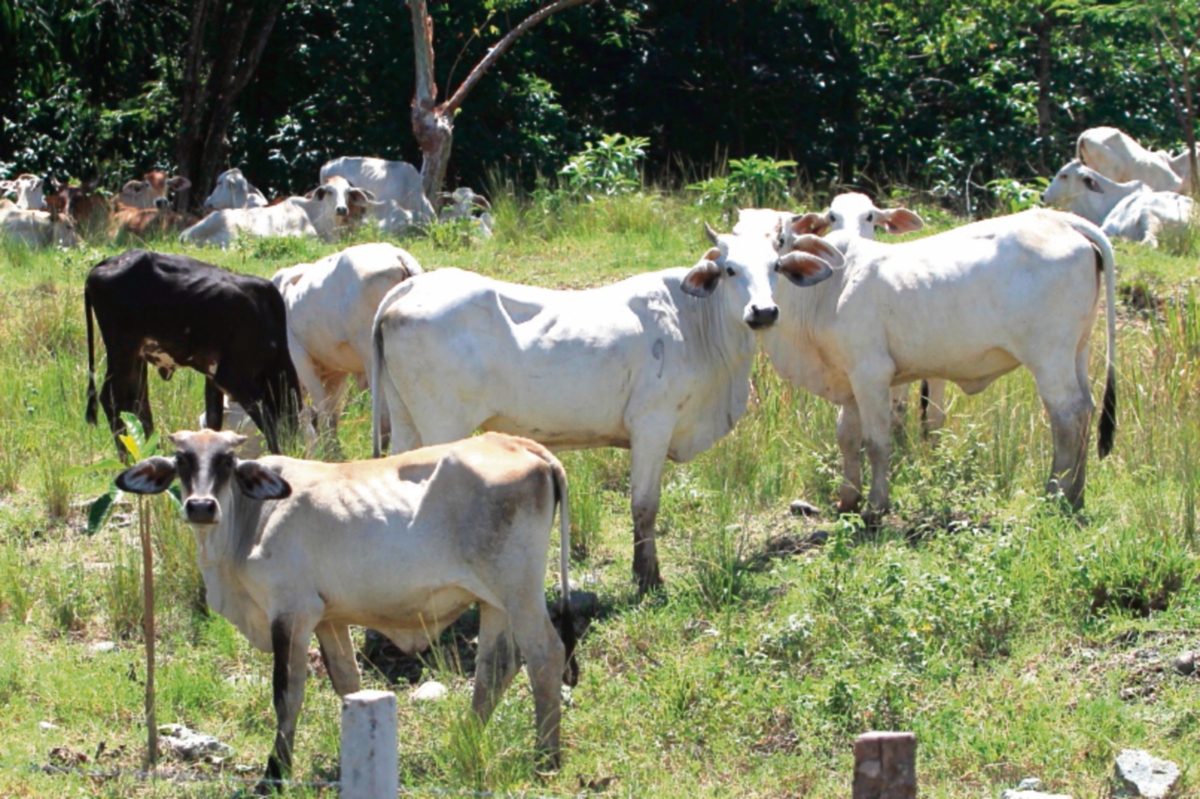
[(370, 762)]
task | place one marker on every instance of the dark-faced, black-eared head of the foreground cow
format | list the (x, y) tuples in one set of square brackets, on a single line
[(208, 470)]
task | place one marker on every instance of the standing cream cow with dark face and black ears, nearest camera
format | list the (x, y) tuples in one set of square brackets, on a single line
[(405, 545)]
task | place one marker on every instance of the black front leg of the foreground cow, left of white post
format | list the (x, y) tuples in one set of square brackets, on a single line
[(290, 646)]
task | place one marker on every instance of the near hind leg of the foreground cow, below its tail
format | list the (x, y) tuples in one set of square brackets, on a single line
[(545, 656)]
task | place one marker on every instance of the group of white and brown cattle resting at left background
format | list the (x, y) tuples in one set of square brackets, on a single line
[(386, 196)]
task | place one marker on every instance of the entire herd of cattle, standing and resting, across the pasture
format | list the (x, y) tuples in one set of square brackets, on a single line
[(658, 364)]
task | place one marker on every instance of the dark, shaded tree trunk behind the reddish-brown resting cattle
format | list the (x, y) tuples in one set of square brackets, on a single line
[(208, 105)]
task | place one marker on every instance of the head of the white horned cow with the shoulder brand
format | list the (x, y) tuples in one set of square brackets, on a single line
[(749, 267)]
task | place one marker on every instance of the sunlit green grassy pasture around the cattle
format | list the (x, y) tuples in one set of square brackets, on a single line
[(1013, 639)]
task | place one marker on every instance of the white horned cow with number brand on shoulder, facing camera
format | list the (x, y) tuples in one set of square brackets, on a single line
[(658, 364)]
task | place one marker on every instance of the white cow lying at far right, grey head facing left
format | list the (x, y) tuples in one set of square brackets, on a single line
[(1131, 211)]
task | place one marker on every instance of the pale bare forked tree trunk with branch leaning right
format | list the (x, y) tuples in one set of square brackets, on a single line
[(433, 122)]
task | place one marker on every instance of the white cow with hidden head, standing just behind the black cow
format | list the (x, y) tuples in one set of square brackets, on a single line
[(332, 305)]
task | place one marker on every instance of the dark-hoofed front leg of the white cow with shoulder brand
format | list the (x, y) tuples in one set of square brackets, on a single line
[(650, 443)]
